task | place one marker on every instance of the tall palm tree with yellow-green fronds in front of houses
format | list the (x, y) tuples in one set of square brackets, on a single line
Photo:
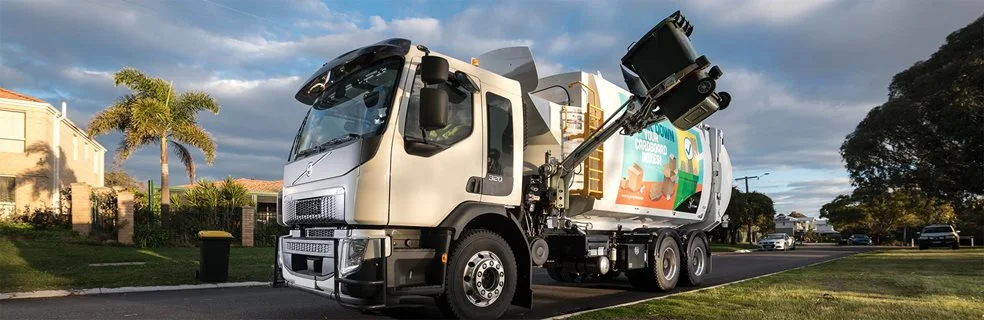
[(152, 113)]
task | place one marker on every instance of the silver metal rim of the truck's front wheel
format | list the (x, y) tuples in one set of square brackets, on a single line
[(484, 278)]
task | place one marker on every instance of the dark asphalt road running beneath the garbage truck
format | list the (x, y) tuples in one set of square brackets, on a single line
[(551, 298)]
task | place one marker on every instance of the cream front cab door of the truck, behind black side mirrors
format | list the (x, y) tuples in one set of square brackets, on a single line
[(429, 180)]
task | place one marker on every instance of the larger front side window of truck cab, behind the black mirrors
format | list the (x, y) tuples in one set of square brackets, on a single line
[(460, 115)]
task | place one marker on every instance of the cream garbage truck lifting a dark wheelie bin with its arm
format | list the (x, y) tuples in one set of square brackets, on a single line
[(417, 174)]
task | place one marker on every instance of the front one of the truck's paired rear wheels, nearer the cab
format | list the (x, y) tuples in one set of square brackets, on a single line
[(663, 271)]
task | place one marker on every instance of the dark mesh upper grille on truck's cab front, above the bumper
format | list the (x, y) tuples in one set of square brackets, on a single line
[(317, 210)]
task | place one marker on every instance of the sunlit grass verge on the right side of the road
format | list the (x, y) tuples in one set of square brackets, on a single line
[(897, 284)]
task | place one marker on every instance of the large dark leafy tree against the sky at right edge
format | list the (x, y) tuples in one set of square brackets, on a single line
[(929, 135)]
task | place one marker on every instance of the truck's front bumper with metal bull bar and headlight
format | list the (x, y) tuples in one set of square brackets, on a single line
[(327, 267)]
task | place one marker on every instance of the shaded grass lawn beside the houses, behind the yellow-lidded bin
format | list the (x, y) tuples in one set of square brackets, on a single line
[(27, 265)]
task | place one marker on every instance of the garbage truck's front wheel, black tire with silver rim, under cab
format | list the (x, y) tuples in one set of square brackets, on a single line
[(481, 277)]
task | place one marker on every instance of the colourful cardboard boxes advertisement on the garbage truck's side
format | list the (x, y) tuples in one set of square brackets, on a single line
[(662, 169)]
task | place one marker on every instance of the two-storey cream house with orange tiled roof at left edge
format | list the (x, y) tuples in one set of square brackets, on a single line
[(41, 152)]
